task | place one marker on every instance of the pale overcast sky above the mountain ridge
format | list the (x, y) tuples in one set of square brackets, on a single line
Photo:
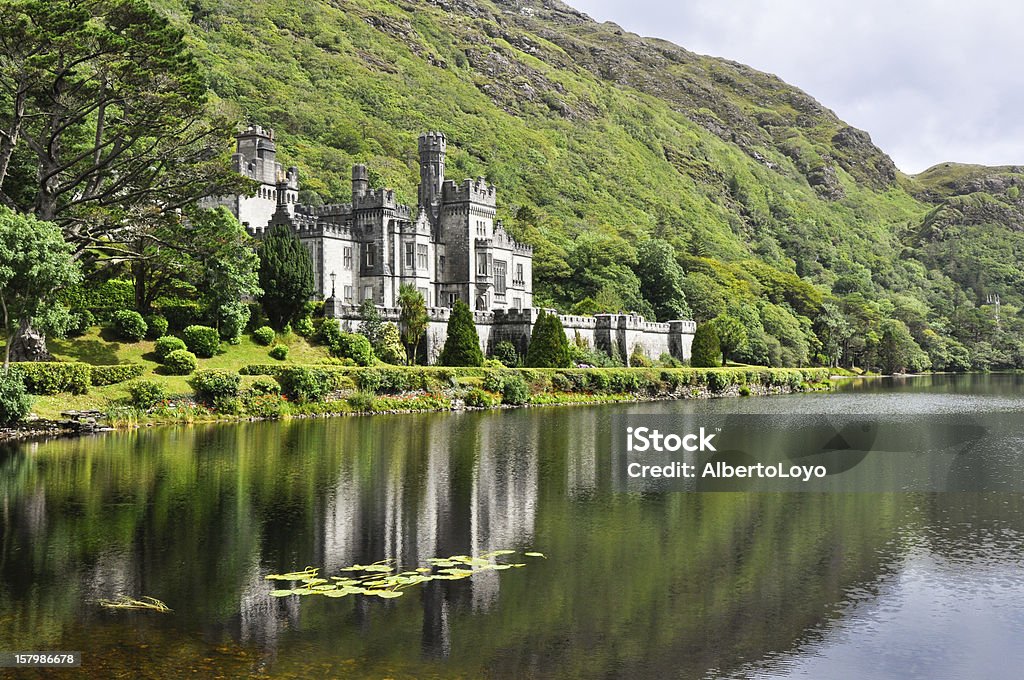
[(930, 80)]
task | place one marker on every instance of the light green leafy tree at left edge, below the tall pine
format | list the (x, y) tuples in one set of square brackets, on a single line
[(35, 263)]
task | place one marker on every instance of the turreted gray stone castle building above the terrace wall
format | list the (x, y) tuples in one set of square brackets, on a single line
[(450, 247)]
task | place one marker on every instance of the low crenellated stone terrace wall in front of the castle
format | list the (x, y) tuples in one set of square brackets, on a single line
[(611, 333)]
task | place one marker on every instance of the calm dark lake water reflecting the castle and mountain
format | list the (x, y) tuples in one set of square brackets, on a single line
[(635, 586)]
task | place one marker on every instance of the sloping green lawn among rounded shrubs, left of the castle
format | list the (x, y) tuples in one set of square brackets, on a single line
[(96, 348)]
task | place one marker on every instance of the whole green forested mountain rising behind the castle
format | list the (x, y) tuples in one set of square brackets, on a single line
[(648, 178)]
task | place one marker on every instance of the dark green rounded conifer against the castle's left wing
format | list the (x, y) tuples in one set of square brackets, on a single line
[(286, 275)]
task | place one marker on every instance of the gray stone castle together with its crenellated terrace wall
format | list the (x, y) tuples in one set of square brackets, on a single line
[(450, 248)]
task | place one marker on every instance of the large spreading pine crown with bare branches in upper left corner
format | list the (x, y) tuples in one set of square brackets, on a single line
[(105, 104)]
